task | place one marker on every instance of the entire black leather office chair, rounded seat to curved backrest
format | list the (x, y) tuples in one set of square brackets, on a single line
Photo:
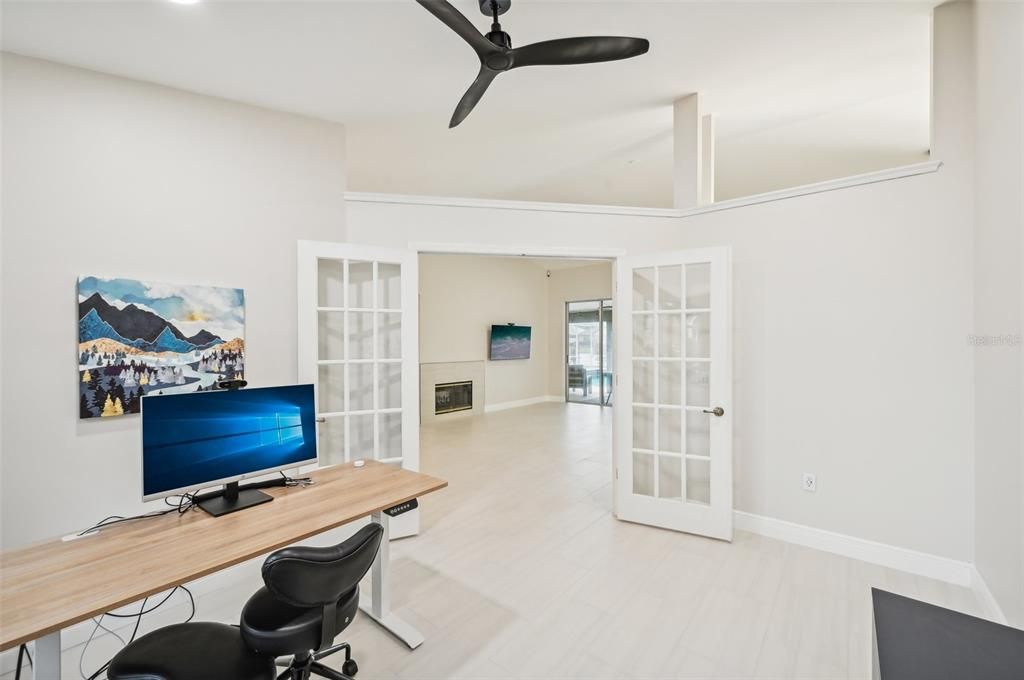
[(312, 594)]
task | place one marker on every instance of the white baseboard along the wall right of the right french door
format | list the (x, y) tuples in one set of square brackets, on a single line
[(933, 567)]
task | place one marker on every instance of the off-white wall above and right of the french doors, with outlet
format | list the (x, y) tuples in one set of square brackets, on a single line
[(851, 314)]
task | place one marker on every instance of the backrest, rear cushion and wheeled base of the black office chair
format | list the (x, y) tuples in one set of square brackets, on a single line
[(312, 594)]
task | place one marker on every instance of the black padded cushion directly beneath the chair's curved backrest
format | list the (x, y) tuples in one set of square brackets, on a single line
[(279, 629)]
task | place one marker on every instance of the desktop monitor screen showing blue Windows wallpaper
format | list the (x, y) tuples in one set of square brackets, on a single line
[(204, 439)]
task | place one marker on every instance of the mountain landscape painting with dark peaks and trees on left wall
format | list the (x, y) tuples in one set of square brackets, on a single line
[(138, 338)]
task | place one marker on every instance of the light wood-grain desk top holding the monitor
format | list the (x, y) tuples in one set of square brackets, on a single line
[(54, 585)]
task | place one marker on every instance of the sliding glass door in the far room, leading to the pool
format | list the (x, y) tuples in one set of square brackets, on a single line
[(589, 351)]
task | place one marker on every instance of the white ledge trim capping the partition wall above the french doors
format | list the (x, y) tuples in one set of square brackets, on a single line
[(901, 173)]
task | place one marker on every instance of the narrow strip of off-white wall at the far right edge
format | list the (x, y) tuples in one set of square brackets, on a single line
[(999, 34)]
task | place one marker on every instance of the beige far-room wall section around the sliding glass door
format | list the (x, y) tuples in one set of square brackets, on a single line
[(592, 282)]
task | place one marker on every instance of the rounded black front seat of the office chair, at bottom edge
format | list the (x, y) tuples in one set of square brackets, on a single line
[(192, 652)]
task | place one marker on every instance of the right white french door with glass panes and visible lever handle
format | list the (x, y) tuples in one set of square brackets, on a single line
[(674, 403)]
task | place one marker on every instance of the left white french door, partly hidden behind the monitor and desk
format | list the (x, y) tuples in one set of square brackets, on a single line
[(358, 326)]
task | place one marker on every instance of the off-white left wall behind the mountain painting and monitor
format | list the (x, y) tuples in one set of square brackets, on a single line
[(111, 177)]
